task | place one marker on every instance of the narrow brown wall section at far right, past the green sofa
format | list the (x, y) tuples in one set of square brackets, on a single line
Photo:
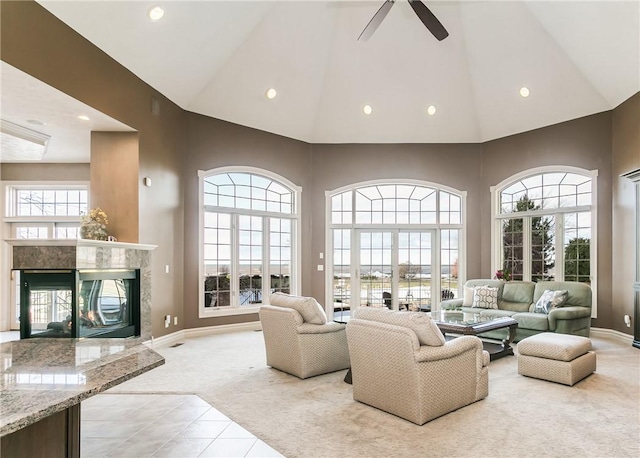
[(626, 157)]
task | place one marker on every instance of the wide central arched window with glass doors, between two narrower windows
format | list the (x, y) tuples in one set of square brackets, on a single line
[(394, 244)]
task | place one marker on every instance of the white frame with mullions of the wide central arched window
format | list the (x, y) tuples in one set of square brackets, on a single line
[(436, 228)]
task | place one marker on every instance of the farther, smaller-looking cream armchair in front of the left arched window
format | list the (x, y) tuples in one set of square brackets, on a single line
[(298, 338)]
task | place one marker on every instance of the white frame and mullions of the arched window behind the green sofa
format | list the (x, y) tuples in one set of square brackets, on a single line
[(497, 218)]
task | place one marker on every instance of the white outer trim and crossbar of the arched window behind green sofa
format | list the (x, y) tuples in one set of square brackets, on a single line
[(495, 217)]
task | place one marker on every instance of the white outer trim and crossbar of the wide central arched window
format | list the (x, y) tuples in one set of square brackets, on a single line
[(462, 242)]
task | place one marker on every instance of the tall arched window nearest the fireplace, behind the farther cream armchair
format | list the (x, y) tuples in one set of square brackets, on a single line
[(249, 232)]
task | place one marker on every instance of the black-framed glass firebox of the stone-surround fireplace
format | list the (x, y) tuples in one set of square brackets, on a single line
[(79, 303)]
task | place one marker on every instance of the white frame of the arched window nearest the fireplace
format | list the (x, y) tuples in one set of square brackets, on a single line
[(294, 216)]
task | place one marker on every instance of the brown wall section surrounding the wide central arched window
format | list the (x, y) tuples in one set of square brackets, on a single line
[(457, 166)]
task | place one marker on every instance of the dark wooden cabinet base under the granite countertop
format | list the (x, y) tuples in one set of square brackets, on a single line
[(57, 435)]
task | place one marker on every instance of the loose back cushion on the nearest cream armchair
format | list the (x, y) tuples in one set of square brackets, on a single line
[(426, 330)]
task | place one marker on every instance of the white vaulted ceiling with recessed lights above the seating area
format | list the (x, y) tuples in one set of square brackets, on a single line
[(218, 58)]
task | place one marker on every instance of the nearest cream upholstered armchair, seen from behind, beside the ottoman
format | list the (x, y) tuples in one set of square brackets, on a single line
[(402, 364)]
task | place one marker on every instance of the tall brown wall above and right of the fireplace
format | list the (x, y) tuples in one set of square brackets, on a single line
[(36, 42)]
